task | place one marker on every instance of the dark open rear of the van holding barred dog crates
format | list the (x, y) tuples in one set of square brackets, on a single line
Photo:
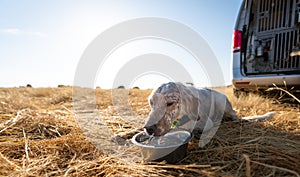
[(270, 37)]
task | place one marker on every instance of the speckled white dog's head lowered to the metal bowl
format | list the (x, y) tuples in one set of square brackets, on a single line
[(165, 105)]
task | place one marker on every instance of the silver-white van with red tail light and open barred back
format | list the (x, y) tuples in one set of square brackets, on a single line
[(266, 45)]
